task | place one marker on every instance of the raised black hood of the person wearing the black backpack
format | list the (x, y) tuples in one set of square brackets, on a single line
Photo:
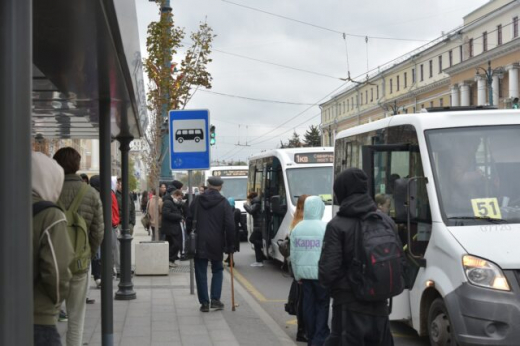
[(351, 190)]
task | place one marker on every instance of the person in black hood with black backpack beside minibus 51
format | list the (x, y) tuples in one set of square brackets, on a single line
[(360, 280)]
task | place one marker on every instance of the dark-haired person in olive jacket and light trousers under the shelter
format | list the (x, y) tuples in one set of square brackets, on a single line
[(82, 206)]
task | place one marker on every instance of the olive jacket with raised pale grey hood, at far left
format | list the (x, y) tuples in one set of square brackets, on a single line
[(52, 250)]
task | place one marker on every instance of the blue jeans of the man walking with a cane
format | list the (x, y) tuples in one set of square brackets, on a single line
[(201, 276)]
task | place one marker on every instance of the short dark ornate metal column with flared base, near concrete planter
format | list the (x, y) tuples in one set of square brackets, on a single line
[(126, 287)]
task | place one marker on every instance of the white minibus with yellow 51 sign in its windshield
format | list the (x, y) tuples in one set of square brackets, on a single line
[(452, 179)]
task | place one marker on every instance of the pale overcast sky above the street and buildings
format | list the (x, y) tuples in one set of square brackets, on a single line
[(319, 50)]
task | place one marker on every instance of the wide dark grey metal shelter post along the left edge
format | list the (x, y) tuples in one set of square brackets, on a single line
[(16, 288)]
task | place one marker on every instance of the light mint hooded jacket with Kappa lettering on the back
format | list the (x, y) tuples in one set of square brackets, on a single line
[(307, 240)]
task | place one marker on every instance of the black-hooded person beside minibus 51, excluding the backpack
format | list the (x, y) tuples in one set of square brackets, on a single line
[(354, 322)]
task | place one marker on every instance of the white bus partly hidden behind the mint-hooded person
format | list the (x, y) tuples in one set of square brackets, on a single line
[(280, 177)]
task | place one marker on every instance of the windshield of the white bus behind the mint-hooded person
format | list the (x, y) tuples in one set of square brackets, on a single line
[(315, 181)]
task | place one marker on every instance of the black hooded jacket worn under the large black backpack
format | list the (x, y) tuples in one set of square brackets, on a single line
[(351, 191)]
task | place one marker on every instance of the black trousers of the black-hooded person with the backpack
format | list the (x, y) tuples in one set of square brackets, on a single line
[(351, 328)]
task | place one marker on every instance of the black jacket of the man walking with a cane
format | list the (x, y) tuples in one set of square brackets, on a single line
[(215, 225)]
